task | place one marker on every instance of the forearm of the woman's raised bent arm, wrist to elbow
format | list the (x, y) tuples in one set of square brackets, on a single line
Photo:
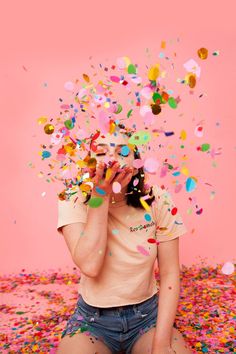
[(91, 247)]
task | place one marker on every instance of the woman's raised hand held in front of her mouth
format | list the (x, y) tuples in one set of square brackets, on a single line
[(104, 179)]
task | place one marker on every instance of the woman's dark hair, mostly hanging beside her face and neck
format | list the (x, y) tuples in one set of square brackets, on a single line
[(134, 193)]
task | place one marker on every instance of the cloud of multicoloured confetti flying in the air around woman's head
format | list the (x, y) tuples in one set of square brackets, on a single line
[(140, 98)]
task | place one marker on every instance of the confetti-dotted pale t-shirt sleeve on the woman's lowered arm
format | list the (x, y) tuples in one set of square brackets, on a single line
[(168, 219)]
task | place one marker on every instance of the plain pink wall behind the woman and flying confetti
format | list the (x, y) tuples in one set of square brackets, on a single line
[(46, 44)]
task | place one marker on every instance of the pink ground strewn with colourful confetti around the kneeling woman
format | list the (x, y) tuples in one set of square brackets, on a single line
[(36, 306)]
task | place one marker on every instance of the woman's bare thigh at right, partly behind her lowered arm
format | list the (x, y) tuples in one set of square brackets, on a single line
[(144, 343)]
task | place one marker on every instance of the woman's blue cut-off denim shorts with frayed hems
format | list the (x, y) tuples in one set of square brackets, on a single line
[(117, 327)]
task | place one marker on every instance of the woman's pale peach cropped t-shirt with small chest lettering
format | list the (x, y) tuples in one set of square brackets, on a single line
[(127, 276)]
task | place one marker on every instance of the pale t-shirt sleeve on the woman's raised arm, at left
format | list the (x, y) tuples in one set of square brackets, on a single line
[(72, 210)]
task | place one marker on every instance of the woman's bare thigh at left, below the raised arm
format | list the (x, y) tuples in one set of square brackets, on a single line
[(80, 343)]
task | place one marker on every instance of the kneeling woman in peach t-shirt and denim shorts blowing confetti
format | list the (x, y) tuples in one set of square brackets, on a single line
[(115, 246)]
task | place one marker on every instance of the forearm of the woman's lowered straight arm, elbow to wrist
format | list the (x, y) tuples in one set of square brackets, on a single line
[(167, 307)]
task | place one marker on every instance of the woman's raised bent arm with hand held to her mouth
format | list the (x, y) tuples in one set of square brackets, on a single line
[(88, 242)]
